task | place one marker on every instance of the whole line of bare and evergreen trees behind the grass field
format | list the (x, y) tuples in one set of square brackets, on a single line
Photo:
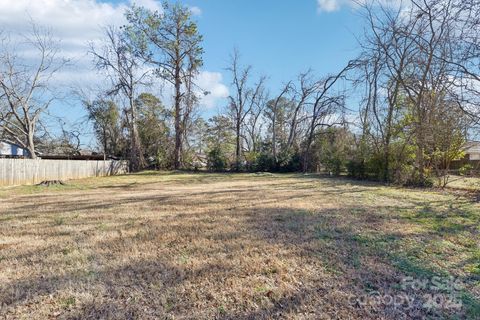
[(399, 112)]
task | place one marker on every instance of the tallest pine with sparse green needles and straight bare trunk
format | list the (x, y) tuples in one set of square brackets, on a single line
[(170, 41)]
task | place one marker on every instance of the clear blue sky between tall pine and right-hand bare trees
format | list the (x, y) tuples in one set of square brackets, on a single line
[(279, 38)]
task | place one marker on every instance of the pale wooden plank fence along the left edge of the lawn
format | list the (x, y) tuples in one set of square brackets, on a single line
[(28, 171)]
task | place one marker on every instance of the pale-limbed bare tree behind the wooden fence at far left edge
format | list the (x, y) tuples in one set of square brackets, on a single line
[(26, 90)]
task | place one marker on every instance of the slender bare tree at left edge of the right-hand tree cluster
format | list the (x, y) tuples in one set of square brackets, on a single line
[(386, 55)]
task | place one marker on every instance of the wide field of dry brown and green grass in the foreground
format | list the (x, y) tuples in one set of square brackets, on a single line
[(246, 246)]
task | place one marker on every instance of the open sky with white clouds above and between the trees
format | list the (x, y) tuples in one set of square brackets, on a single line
[(278, 38)]
